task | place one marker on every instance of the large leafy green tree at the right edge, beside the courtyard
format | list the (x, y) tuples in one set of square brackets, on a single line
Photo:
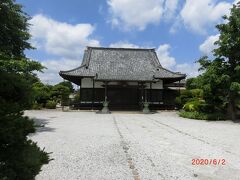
[(221, 79)]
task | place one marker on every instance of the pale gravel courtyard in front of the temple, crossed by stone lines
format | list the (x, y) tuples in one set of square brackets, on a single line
[(125, 145)]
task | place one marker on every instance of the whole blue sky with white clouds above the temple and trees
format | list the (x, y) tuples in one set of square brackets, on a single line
[(181, 31)]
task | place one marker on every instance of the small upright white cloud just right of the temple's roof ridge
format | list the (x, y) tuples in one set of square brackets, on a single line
[(164, 56)]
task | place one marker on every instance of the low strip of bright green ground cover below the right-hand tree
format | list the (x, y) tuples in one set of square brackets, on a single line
[(202, 116)]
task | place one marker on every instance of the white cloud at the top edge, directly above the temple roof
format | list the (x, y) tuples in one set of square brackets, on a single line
[(128, 14)]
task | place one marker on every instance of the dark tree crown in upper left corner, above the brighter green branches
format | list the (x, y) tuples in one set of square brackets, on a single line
[(14, 34)]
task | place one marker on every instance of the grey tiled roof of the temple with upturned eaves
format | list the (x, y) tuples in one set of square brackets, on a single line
[(121, 64)]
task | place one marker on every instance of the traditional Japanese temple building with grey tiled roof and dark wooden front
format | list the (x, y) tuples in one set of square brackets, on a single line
[(123, 78)]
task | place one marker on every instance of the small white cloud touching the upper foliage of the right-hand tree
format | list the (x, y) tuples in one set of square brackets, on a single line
[(208, 45)]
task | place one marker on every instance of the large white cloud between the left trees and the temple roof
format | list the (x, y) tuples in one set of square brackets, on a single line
[(62, 39)]
